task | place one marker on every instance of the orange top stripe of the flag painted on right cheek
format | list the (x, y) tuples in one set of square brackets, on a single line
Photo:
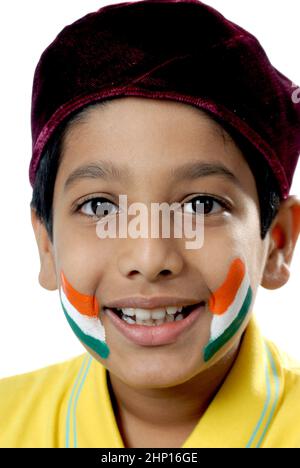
[(221, 299)]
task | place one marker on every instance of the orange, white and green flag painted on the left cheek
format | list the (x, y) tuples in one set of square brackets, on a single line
[(82, 312)]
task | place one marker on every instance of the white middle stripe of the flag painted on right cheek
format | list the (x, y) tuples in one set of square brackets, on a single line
[(221, 322)]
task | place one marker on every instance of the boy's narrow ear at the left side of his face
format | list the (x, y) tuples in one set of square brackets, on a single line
[(47, 275)]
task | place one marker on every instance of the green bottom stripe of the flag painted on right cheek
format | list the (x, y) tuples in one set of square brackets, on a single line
[(213, 346)]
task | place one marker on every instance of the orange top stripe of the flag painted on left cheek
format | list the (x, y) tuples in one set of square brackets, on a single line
[(86, 305)]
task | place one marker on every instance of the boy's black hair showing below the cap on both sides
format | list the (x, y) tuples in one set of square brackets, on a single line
[(43, 190)]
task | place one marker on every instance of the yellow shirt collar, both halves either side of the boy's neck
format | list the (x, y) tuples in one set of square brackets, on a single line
[(239, 415)]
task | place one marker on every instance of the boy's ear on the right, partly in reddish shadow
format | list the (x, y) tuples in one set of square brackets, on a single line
[(283, 235)]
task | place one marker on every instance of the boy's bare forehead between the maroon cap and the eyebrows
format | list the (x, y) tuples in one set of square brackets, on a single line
[(149, 136)]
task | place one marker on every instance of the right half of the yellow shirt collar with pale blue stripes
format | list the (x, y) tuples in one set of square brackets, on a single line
[(241, 412)]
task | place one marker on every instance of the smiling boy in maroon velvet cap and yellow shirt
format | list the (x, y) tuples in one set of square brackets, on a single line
[(174, 357)]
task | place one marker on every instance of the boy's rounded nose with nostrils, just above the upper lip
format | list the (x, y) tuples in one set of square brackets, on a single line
[(152, 259)]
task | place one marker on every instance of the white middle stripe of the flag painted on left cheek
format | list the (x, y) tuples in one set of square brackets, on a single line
[(91, 326)]
